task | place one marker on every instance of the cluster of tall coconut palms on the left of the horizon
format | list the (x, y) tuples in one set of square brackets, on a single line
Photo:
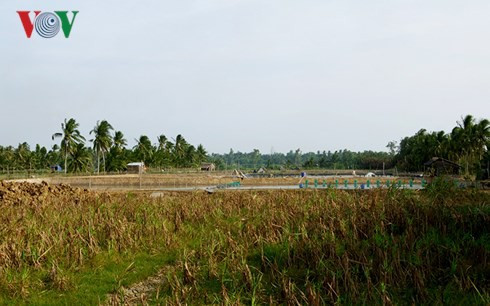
[(106, 151)]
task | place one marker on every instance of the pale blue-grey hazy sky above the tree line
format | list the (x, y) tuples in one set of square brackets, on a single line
[(272, 75)]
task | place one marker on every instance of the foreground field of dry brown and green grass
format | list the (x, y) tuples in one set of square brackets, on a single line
[(63, 245)]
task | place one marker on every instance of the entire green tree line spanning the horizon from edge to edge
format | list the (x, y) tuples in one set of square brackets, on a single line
[(466, 144)]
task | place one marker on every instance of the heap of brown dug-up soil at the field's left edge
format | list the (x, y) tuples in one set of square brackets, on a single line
[(38, 194)]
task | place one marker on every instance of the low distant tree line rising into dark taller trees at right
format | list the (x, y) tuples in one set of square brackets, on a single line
[(467, 144)]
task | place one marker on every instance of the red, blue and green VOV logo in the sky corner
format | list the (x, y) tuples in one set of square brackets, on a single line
[(47, 24)]
